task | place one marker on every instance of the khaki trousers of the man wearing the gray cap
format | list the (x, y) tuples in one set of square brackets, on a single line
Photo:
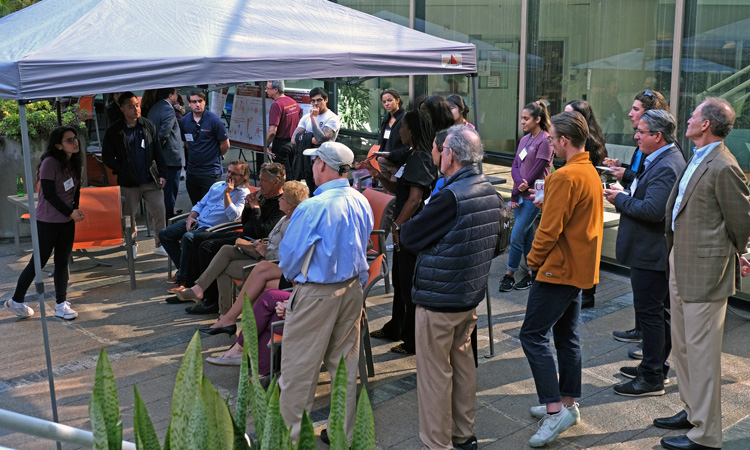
[(322, 324)]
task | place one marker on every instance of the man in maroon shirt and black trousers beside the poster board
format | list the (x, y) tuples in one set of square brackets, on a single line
[(283, 119)]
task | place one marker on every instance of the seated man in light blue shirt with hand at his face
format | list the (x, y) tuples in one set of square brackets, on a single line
[(223, 203)]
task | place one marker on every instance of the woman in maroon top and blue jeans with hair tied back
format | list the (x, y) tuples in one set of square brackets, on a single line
[(533, 161)]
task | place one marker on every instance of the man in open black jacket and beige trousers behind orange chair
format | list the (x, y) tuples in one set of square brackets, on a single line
[(131, 146)]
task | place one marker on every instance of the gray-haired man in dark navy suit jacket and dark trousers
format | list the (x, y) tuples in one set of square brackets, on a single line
[(642, 246)]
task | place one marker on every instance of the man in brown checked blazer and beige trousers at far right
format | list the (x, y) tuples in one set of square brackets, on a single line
[(707, 228)]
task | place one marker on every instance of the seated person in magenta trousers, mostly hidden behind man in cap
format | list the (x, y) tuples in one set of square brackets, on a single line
[(269, 308)]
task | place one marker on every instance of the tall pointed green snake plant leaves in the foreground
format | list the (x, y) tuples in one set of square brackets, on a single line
[(201, 419)]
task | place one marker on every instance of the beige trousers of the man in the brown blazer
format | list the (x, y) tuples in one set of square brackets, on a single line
[(697, 333)]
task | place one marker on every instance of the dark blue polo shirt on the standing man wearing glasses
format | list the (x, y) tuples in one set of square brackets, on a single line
[(204, 154)]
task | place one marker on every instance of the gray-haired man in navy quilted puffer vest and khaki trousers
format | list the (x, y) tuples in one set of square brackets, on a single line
[(454, 237)]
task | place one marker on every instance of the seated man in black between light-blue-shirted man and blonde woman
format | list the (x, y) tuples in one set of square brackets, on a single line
[(260, 216)]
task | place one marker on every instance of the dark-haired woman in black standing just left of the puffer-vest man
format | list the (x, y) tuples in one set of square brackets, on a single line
[(414, 182)]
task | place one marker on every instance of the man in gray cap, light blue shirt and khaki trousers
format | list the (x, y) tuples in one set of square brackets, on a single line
[(324, 253)]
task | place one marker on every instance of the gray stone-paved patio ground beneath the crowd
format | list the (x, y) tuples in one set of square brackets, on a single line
[(145, 339)]
